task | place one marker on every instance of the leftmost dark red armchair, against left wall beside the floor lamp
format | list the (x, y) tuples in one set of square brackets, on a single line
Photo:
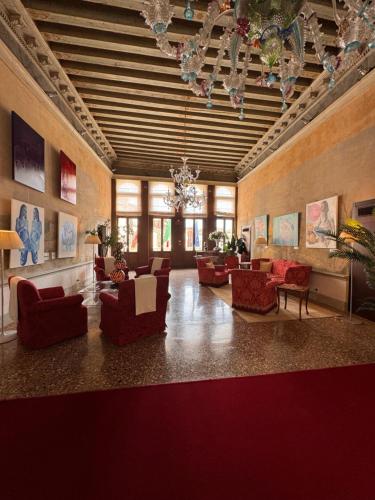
[(46, 316)]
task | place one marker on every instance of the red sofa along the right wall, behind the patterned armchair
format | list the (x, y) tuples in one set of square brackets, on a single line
[(285, 271)]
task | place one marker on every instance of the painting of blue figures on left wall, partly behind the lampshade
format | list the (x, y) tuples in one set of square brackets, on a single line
[(28, 221)]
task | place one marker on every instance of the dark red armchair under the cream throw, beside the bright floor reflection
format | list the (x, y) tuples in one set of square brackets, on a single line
[(118, 319)]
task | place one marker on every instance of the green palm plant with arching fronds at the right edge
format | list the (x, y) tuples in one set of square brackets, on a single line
[(356, 244)]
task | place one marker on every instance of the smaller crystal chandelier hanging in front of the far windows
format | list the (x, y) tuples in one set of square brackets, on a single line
[(186, 194)]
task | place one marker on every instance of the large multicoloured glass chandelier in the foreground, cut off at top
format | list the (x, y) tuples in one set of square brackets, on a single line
[(276, 30)]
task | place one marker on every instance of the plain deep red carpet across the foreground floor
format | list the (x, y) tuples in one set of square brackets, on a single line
[(307, 436)]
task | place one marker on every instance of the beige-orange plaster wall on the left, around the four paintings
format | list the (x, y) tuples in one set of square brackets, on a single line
[(20, 94)]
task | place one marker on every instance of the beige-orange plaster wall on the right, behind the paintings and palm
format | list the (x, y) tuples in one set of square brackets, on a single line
[(334, 155)]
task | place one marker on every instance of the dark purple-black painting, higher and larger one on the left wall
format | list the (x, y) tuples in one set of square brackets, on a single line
[(28, 154)]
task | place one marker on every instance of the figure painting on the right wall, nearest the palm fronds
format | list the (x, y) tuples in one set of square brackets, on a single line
[(321, 215)]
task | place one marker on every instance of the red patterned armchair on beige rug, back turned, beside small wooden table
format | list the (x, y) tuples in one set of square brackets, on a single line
[(252, 291)]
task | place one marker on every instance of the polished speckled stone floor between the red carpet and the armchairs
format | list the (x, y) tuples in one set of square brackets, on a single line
[(205, 339)]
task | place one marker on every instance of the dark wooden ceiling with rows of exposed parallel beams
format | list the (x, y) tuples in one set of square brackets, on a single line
[(136, 95)]
